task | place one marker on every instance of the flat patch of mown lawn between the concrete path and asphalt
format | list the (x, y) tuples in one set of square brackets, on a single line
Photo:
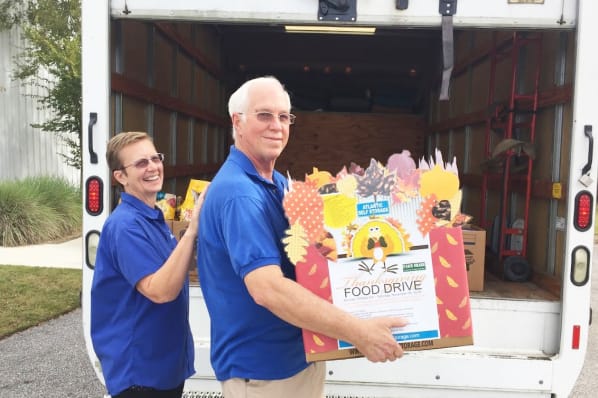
[(32, 295)]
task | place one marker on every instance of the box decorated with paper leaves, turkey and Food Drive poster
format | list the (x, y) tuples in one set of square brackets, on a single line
[(383, 241)]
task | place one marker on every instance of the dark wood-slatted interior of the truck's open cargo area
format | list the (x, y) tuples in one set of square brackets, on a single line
[(359, 97)]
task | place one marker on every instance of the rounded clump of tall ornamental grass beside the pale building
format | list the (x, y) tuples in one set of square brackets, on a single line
[(38, 210)]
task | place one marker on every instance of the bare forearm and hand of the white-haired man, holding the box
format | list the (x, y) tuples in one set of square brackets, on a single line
[(300, 307)]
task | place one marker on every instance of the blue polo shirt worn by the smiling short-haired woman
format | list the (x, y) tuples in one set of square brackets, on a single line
[(138, 342)]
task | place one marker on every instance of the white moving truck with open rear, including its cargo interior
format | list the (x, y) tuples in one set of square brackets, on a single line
[(506, 87)]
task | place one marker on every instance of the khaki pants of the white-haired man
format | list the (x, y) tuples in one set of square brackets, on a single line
[(308, 383)]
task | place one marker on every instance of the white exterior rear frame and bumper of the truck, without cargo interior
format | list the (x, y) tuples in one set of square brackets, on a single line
[(522, 347)]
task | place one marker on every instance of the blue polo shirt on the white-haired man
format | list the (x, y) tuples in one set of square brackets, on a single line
[(242, 223)]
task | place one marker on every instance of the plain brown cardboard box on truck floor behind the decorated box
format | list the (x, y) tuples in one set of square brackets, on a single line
[(474, 242)]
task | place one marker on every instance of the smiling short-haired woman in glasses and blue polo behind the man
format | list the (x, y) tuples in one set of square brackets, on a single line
[(140, 296)]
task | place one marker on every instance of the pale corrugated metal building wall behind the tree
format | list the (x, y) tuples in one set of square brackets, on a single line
[(25, 151)]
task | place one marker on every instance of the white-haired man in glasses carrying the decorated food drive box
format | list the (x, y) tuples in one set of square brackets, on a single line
[(256, 308)]
